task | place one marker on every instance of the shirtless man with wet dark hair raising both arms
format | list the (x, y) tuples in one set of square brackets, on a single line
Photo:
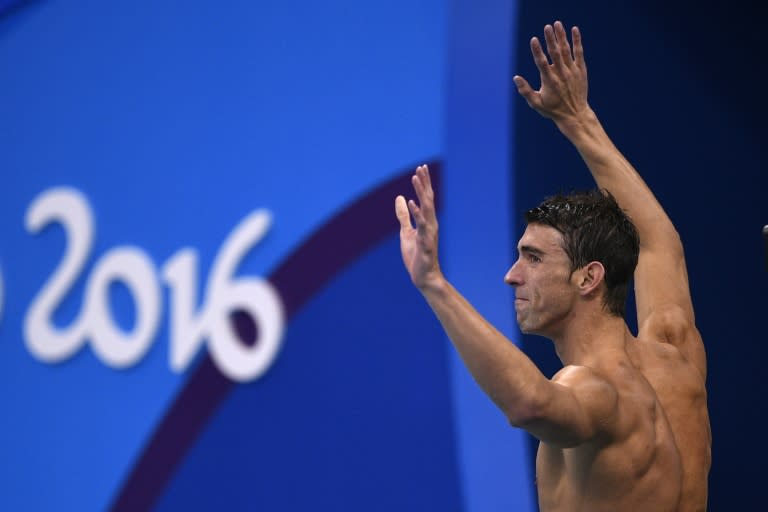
[(624, 425)]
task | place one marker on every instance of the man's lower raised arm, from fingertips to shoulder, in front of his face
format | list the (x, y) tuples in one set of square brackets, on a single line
[(565, 413)]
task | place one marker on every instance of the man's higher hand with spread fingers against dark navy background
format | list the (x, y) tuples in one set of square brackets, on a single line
[(563, 92)]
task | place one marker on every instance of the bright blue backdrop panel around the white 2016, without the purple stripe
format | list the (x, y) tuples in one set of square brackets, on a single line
[(176, 120)]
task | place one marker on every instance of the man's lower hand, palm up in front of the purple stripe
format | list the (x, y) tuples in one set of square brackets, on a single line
[(419, 245)]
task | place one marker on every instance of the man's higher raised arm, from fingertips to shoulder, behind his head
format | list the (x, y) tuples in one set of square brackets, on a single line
[(664, 308)]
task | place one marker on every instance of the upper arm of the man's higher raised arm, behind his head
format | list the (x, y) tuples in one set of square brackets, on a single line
[(664, 307)]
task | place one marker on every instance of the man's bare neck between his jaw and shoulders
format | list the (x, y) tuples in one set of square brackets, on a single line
[(591, 336)]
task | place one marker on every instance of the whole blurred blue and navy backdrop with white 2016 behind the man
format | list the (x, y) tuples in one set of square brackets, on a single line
[(202, 303)]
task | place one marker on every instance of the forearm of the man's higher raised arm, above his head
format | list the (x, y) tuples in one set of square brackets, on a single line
[(611, 171)]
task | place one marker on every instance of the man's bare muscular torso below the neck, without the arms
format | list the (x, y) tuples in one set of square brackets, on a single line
[(659, 458)]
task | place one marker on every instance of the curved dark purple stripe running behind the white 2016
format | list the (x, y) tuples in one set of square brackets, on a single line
[(336, 244)]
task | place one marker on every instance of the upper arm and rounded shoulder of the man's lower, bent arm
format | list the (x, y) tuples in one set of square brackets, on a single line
[(578, 406)]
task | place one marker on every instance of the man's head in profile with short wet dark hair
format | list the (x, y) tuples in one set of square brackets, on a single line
[(592, 237)]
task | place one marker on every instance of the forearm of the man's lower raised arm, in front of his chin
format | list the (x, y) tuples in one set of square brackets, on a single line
[(504, 373)]
